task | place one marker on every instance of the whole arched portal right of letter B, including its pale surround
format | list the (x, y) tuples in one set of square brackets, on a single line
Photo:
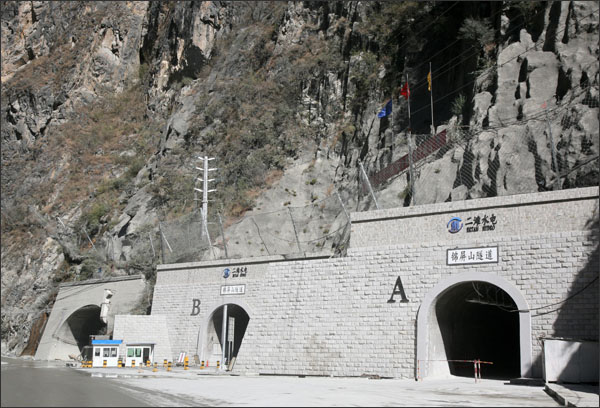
[(210, 337)]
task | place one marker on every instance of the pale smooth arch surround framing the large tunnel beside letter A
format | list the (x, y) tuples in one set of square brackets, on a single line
[(430, 341)]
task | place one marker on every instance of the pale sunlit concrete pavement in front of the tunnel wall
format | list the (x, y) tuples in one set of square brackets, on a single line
[(196, 387)]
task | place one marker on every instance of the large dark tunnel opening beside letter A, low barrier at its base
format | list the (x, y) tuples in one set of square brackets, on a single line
[(478, 320)]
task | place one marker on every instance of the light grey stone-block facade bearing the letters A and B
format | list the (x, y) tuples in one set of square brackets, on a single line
[(331, 316)]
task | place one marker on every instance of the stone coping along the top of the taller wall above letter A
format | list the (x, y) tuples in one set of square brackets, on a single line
[(517, 200)]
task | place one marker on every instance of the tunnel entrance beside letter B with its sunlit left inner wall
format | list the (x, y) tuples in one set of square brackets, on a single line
[(236, 321)]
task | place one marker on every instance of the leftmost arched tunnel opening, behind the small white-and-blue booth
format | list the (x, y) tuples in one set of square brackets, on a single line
[(77, 328)]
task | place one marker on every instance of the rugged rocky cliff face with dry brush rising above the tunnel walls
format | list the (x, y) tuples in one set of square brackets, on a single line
[(106, 106)]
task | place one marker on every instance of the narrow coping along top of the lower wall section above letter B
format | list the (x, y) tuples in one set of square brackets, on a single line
[(245, 261)]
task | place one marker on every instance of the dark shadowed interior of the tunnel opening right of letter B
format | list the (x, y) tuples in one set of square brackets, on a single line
[(237, 322)]
